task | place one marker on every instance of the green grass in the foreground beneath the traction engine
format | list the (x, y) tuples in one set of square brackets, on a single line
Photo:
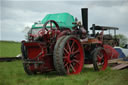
[(12, 73)]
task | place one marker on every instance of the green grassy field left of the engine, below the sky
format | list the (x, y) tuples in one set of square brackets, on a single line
[(9, 48)]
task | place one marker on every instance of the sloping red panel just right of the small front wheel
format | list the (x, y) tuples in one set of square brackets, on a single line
[(111, 52)]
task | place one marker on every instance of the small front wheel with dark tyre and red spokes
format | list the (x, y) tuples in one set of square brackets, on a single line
[(100, 59)]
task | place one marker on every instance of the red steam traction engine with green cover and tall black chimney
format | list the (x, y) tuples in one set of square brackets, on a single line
[(60, 43)]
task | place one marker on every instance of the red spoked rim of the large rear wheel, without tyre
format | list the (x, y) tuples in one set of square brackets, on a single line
[(73, 56)]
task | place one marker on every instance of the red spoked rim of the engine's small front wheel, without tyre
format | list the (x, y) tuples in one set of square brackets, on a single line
[(101, 60)]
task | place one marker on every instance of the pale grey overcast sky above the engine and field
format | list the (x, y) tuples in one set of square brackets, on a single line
[(17, 14)]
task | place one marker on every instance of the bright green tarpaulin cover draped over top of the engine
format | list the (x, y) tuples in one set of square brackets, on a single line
[(64, 20)]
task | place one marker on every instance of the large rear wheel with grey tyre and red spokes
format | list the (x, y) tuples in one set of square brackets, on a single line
[(68, 56)]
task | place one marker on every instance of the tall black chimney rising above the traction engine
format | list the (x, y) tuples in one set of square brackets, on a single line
[(84, 12)]
